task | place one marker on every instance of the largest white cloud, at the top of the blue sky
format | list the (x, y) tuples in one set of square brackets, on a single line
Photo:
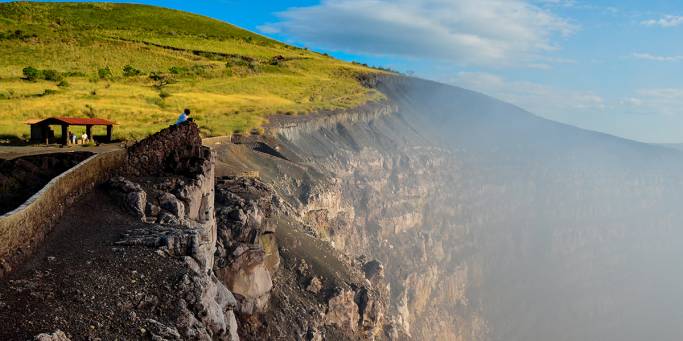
[(473, 32)]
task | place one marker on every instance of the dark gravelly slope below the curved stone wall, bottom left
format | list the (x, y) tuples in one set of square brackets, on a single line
[(81, 284)]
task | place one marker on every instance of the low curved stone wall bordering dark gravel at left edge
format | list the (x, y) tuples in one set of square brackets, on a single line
[(22, 229)]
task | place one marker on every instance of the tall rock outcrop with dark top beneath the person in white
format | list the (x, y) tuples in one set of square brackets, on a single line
[(175, 198)]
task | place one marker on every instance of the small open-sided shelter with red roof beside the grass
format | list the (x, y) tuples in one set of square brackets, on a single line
[(40, 129)]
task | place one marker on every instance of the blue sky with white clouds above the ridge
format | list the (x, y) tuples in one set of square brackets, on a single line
[(611, 66)]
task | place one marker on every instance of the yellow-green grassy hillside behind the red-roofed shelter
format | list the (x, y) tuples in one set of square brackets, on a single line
[(230, 83)]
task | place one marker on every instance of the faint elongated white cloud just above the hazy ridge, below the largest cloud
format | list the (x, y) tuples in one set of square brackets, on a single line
[(548, 101)]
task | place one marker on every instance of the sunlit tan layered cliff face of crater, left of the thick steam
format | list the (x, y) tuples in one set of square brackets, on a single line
[(374, 187)]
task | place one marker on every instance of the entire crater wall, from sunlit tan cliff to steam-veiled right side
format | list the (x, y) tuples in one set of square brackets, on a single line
[(490, 223)]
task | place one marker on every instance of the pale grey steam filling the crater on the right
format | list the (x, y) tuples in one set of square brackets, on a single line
[(576, 235)]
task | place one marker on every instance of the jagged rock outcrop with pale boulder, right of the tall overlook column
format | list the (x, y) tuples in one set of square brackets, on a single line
[(248, 256)]
